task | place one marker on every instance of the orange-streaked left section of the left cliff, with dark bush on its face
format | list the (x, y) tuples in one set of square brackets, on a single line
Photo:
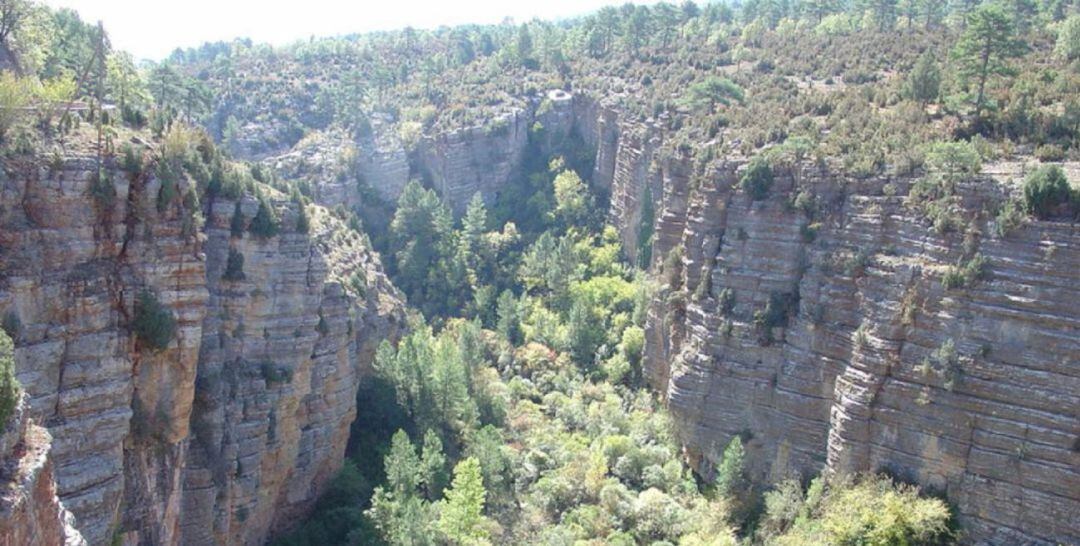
[(77, 253)]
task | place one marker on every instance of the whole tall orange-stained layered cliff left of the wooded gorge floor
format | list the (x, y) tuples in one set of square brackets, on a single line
[(142, 438)]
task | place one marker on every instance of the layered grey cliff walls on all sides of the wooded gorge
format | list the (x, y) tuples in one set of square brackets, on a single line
[(229, 434)]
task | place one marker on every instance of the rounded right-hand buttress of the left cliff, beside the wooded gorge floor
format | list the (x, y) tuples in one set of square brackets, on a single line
[(281, 359)]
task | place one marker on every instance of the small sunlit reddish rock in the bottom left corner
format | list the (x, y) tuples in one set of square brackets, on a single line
[(31, 513)]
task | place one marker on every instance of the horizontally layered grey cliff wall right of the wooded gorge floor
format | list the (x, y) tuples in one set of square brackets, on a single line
[(872, 365)]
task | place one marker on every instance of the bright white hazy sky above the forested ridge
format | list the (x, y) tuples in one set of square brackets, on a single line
[(154, 29)]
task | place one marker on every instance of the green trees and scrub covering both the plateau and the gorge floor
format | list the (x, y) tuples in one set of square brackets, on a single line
[(516, 412)]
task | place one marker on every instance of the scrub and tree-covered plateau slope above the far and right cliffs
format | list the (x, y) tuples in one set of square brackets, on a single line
[(866, 85)]
